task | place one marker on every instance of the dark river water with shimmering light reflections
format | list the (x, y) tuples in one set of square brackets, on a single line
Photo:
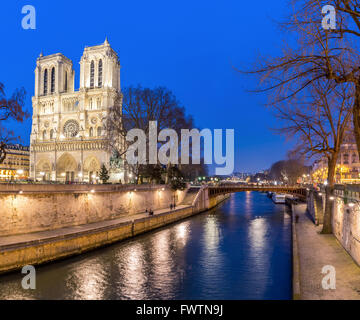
[(239, 250)]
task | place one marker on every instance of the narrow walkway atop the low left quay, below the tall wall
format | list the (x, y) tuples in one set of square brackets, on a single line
[(16, 241)]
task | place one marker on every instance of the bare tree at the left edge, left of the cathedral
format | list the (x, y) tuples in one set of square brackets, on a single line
[(10, 109)]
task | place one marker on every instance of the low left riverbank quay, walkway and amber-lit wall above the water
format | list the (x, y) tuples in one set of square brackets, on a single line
[(45, 246)]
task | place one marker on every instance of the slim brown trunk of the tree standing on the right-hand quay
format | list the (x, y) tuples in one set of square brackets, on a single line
[(329, 192)]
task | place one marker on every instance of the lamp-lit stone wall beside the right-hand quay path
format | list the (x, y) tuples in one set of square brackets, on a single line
[(346, 218)]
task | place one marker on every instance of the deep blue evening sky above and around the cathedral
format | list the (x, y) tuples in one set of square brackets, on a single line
[(190, 47)]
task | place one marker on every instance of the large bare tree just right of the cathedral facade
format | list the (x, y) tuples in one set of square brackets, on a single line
[(139, 107)]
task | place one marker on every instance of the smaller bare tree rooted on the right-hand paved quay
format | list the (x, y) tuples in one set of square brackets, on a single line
[(319, 123)]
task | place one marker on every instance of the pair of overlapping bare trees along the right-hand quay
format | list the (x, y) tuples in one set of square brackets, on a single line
[(314, 84)]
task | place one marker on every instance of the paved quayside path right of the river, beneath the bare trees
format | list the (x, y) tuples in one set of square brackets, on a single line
[(317, 250)]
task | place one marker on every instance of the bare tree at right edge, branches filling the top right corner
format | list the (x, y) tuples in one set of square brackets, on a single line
[(335, 52)]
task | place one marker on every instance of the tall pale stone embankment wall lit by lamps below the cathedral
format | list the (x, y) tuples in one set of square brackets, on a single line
[(31, 208)]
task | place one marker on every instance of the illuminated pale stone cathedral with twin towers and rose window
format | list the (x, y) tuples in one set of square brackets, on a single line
[(68, 141)]
